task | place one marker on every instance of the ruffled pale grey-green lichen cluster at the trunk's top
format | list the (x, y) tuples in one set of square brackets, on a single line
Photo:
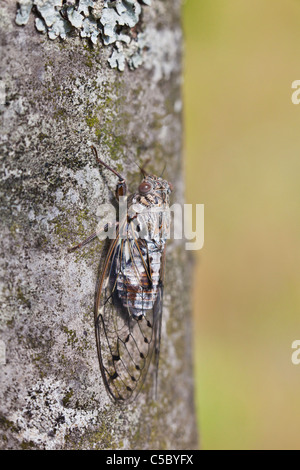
[(110, 21)]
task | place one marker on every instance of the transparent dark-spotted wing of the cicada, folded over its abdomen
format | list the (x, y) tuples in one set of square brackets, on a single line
[(126, 340)]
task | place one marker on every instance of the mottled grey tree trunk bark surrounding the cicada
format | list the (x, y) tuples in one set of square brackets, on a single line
[(59, 97)]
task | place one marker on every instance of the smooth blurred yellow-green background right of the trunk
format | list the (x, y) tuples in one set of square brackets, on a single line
[(242, 150)]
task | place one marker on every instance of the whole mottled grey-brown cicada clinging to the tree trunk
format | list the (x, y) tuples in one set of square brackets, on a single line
[(129, 290)]
